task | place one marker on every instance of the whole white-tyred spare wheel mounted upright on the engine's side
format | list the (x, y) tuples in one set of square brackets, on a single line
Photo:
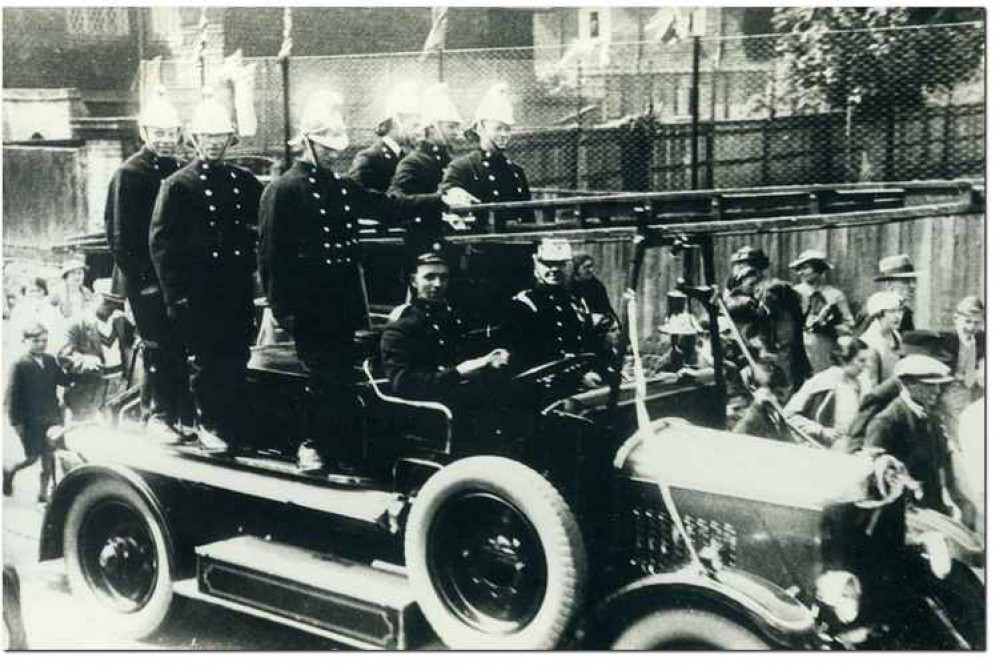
[(494, 556)]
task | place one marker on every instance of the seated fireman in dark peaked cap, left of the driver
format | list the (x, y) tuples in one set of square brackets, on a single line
[(420, 347)]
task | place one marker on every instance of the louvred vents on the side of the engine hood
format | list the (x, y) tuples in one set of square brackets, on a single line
[(657, 546)]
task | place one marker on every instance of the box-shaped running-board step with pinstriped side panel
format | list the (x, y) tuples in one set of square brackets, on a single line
[(344, 600)]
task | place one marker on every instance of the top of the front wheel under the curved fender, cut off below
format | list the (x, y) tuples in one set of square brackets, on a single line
[(687, 629)]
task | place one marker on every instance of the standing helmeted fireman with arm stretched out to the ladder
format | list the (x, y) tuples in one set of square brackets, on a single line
[(309, 267)]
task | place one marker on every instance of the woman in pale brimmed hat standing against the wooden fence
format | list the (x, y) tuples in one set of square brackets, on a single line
[(827, 313)]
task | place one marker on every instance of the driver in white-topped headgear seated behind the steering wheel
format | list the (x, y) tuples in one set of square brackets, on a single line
[(547, 322)]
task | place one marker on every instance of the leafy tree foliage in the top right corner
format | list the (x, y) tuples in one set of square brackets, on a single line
[(876, 60)]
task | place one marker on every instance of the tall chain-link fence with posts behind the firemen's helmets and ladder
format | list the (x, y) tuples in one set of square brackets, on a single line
[(710, 112)]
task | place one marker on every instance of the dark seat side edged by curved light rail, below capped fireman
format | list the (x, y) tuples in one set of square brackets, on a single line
[(420, 423)]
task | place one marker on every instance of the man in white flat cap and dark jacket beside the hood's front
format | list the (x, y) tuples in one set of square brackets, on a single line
[(910, 430)]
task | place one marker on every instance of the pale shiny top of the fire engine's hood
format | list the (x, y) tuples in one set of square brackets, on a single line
[(685, 456)]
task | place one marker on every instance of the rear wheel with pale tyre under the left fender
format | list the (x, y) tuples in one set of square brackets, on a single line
[(117, 559)]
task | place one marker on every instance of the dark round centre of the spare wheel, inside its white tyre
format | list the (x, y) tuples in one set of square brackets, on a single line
[(487, 562)]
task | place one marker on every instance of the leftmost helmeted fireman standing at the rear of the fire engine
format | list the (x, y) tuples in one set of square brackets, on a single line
[(127, 216)]
